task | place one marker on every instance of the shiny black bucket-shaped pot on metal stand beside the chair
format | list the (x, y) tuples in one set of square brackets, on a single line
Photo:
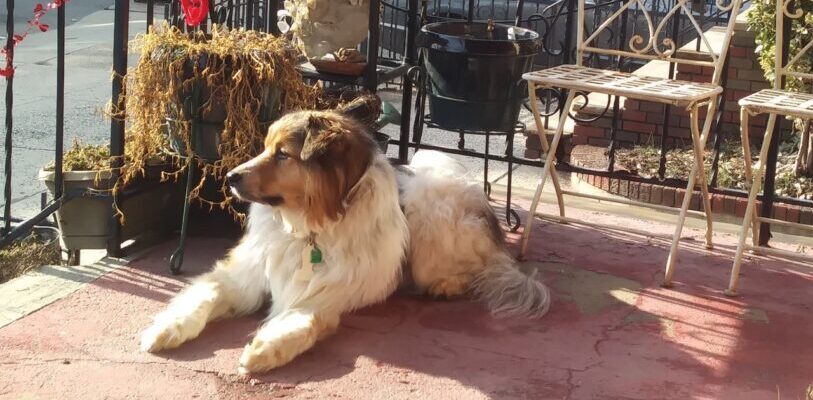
[(475, 73)]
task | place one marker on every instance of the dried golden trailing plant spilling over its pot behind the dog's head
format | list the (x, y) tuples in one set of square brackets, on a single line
[(207, 99)]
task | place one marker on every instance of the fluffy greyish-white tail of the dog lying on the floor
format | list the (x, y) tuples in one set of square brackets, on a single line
[(510, 292)]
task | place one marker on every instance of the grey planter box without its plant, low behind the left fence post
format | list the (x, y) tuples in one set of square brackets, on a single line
[(84, 220)]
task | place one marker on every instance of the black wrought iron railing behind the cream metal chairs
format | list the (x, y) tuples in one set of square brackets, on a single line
[(555, 21)]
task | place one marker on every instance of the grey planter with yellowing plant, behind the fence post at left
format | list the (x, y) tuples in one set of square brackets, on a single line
[(84, 219)]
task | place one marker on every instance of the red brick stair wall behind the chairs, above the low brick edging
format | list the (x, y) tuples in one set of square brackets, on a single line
[(640, 121)]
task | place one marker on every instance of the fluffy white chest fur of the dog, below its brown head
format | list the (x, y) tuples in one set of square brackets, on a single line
[(361, 262)]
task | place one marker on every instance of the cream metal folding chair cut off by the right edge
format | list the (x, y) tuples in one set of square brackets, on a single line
[(774, 102)]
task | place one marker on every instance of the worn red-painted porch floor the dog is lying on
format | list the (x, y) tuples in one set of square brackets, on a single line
[(612, 333)]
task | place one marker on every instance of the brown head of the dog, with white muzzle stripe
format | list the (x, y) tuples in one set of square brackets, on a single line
[(311, 163)]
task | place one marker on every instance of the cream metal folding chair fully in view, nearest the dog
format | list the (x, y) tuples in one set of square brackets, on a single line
[(691, 95)]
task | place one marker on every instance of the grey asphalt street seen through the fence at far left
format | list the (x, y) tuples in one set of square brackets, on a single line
[(87, 89)]
